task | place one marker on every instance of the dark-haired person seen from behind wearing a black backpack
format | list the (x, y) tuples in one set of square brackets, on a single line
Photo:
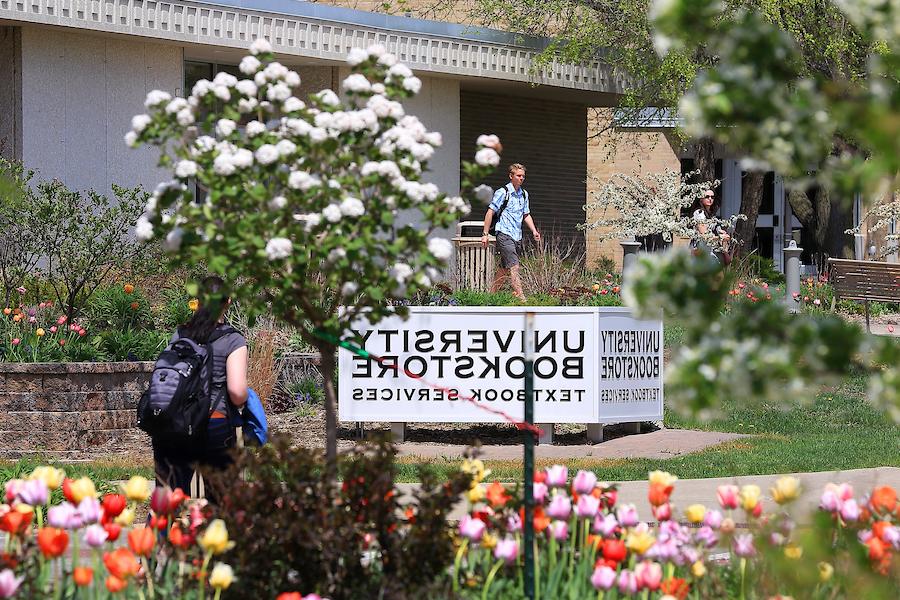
[(197, 388)]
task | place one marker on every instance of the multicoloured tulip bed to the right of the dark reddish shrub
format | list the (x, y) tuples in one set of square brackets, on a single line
[(586, 545)]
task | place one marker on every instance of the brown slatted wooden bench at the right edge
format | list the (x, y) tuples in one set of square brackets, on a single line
[(865, 280)]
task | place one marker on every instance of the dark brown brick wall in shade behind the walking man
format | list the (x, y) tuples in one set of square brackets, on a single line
[(545, 136)]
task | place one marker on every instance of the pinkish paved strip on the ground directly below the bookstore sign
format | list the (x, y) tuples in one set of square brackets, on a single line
[(663, 443)]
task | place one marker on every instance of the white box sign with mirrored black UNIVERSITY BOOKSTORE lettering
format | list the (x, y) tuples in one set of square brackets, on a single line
[(592, 365)]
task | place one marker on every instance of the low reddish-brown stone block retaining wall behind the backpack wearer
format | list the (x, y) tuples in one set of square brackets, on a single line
[(59, 409)]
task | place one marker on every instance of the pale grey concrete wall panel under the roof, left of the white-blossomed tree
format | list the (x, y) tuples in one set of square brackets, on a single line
[(79, 93)]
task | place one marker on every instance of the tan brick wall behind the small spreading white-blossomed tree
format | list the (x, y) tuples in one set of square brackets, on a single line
[(633, 153)]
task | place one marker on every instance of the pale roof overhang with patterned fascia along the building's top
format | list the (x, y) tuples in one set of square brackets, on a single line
[(325, 34)]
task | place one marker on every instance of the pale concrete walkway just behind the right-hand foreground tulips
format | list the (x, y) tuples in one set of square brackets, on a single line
[(703, 491)]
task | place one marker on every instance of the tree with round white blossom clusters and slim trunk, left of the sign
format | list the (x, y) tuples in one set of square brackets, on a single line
[(301, 199)]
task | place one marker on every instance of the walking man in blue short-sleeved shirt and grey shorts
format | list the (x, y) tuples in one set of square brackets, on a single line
[(504, 218)]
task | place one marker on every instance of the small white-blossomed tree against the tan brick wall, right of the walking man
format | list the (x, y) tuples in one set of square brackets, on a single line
[(632, 206)]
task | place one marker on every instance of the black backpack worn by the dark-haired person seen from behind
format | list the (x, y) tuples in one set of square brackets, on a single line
[(176, 407)]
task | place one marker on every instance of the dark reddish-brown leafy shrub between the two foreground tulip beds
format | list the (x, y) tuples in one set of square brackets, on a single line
[(353, 540)]
